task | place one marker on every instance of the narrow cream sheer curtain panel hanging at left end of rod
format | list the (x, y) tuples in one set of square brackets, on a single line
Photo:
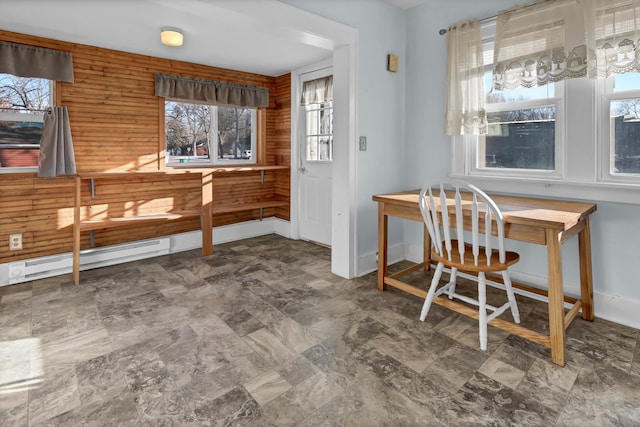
[(465, 100)]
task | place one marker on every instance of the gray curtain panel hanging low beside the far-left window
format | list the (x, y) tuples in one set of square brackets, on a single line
[(56, 145)]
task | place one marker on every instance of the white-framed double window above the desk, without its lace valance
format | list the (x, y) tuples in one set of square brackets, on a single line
[(575, 138)]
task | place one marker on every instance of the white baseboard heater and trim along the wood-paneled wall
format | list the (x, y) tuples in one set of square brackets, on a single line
[(178, 243)]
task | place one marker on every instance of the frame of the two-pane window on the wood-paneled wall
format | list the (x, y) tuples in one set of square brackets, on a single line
[(256, 133)]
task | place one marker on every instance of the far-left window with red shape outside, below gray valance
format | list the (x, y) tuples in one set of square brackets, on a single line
[(23, 101)]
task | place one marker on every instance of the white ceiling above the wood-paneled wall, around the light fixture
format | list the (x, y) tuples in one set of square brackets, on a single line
[(260, 36)]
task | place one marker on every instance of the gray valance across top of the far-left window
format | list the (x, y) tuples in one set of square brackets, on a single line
[(31, 61)]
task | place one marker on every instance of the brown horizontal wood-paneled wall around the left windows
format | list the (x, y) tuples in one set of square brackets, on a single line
[(115, 122)]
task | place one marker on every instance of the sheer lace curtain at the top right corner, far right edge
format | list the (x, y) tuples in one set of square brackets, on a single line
[(615, 37)]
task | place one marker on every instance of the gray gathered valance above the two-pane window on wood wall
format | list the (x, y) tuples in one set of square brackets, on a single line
[(213, 92)]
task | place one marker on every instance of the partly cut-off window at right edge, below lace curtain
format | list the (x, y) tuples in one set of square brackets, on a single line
[(621, 127)]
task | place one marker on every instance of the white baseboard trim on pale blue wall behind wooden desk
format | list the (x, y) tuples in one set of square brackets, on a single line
[(615, 308)]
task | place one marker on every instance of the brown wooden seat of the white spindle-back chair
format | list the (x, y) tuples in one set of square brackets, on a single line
[(468, 263)]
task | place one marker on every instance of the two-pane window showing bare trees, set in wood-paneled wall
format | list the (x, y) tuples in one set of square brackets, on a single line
[(198, 133)]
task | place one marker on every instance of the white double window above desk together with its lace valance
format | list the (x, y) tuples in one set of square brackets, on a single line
[(551, 122)]
